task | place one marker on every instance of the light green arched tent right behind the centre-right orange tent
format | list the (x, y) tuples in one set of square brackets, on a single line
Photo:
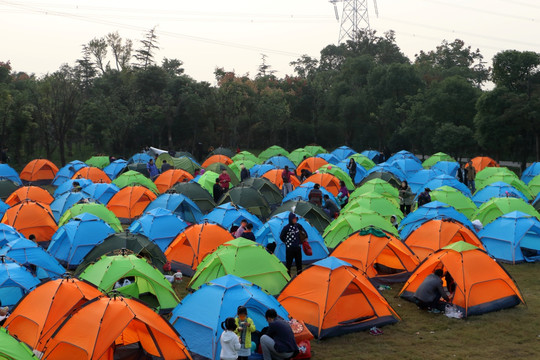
[(347, 224)]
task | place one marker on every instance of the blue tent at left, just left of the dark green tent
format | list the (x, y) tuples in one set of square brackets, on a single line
[(74, 240)]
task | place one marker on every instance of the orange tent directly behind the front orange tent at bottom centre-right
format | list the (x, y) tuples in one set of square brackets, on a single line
[(380, 256)]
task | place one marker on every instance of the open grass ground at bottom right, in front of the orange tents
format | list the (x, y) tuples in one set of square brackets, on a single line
[(507, 334)]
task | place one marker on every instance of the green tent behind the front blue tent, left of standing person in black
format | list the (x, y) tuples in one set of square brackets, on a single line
[(245, 259)]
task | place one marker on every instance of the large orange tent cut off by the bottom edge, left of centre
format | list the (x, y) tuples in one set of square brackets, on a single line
[(104, 325)]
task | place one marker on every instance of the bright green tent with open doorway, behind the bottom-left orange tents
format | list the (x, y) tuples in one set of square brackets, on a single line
[(149, 284)]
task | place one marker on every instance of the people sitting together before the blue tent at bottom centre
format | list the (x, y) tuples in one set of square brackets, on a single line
[(276, 341)]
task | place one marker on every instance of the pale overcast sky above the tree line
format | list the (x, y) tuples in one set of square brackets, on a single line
[(38, 36)]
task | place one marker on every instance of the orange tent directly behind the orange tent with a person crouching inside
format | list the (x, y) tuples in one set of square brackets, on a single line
[(436, 234)]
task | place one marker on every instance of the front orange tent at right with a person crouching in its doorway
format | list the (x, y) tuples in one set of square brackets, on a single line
[(482, 285)]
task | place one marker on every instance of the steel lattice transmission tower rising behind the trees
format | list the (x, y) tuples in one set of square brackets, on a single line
[(354, 18)]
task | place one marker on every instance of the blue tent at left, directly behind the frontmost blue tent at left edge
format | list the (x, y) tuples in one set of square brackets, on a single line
[(29, 254)]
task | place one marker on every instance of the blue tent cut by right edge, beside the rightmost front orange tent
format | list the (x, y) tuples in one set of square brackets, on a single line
[(514, 238)]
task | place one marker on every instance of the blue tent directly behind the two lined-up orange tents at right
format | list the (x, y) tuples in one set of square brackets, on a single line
[(435, 210)]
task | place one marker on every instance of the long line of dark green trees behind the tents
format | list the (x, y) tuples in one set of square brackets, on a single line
[(364, 93)]
